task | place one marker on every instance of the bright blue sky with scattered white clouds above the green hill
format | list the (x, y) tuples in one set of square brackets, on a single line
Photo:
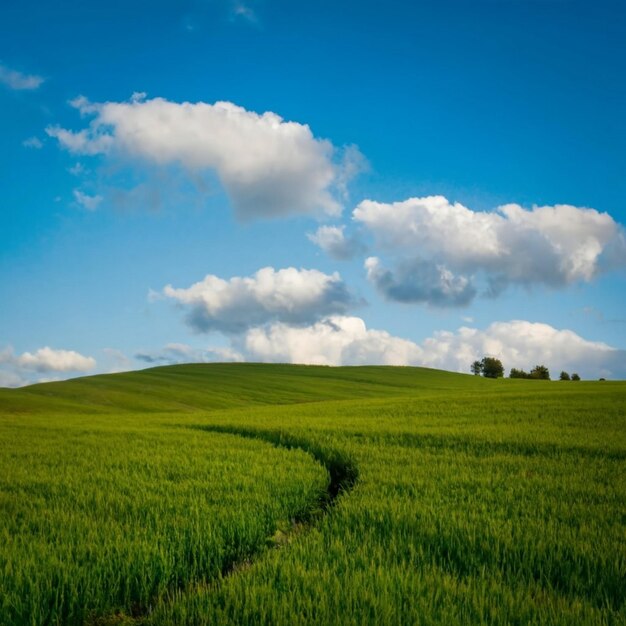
[(481, 104)]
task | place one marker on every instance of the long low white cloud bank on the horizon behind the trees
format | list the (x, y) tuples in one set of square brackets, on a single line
[(340, 340)]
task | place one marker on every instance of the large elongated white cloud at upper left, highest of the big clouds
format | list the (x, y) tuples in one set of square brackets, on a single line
[(268, 166)]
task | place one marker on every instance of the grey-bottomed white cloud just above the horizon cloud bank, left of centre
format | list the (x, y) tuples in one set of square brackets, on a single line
[(289, 295)]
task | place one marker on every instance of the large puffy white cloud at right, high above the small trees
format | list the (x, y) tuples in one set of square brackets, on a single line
[(550, 245)]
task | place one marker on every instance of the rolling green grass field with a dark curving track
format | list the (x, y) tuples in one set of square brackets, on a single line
[(283, 495)]
